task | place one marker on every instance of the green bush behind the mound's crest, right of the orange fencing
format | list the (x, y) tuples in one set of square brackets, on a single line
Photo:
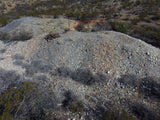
[(120, 26)]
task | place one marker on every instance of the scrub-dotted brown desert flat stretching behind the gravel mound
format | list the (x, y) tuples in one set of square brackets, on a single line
[(139, 18)]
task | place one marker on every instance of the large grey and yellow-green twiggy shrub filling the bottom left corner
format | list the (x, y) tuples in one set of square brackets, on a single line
[(24, 101)]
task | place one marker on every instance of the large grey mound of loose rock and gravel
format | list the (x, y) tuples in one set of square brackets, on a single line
[(95, 69)]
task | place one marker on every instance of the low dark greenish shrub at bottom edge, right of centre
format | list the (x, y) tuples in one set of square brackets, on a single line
[(117, 115)]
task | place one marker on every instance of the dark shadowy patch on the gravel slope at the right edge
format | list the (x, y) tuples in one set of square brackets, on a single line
[(147, 86)]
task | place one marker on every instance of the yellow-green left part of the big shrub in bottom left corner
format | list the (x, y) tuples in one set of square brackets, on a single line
[(12, 99)]
